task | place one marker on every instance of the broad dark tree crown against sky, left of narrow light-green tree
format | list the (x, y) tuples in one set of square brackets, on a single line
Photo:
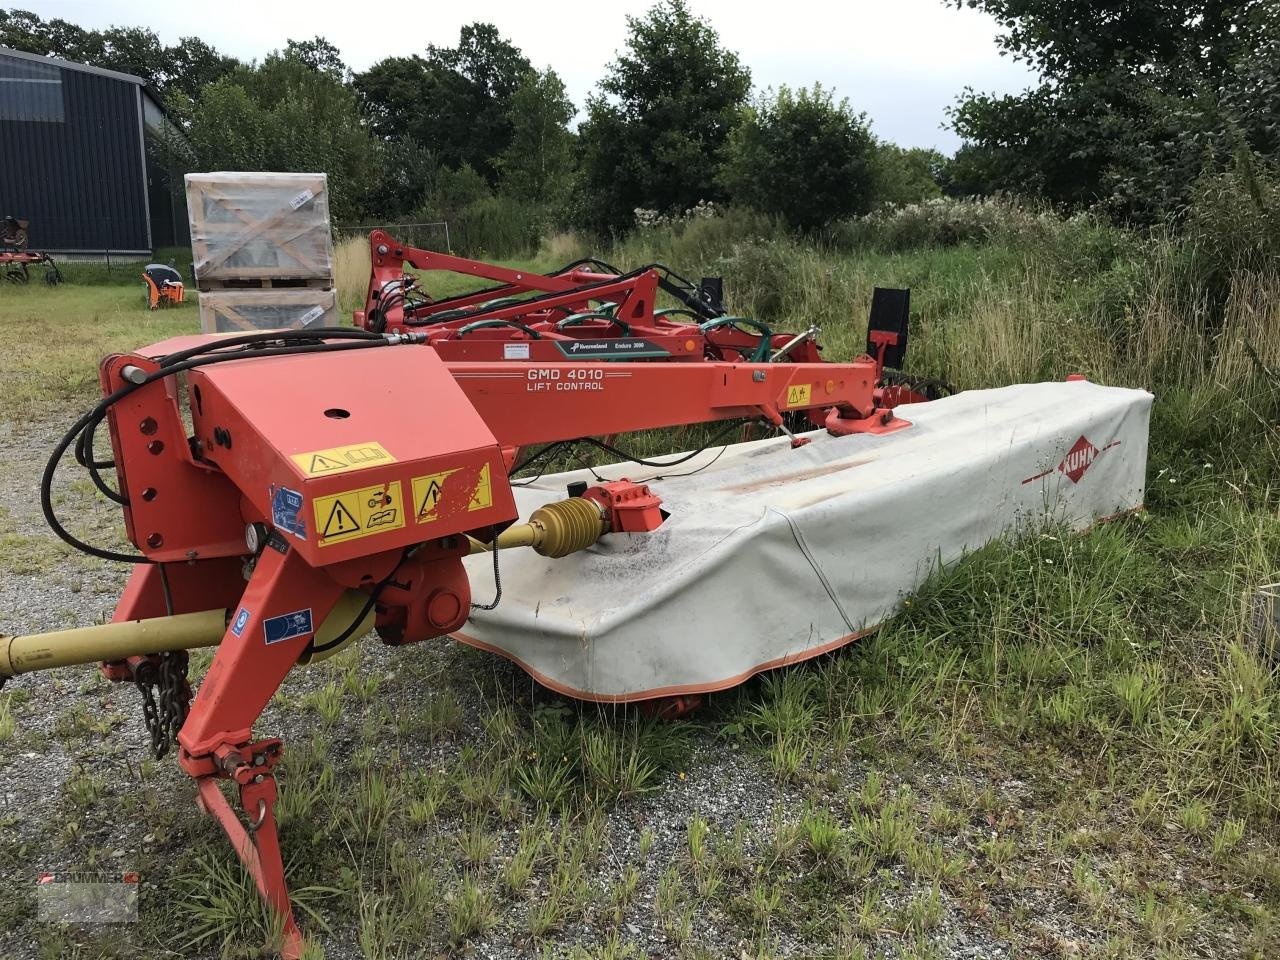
[(454, 102)]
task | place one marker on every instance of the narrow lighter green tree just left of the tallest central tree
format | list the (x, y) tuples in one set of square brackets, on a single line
[(538, 163)]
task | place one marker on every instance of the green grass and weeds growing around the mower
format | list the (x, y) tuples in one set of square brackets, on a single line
[(1064, 746)]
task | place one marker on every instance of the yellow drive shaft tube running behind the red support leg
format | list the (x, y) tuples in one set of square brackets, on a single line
[(138, 638)]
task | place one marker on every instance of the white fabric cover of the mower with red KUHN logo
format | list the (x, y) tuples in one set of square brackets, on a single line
[(774, 555)]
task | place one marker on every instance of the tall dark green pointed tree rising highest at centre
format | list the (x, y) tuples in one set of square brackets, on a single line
[(656, 134)]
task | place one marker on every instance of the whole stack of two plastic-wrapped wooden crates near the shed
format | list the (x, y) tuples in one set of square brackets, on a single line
[(262, 250)]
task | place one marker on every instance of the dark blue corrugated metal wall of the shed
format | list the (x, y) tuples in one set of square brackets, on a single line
[(71, 158)]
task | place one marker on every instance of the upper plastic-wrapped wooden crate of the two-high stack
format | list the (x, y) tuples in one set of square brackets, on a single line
[(259, 227)]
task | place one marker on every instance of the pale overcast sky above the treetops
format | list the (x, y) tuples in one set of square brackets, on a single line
[(902, 62)]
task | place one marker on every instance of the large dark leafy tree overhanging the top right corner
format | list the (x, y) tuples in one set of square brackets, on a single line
[(1140, 99)]
